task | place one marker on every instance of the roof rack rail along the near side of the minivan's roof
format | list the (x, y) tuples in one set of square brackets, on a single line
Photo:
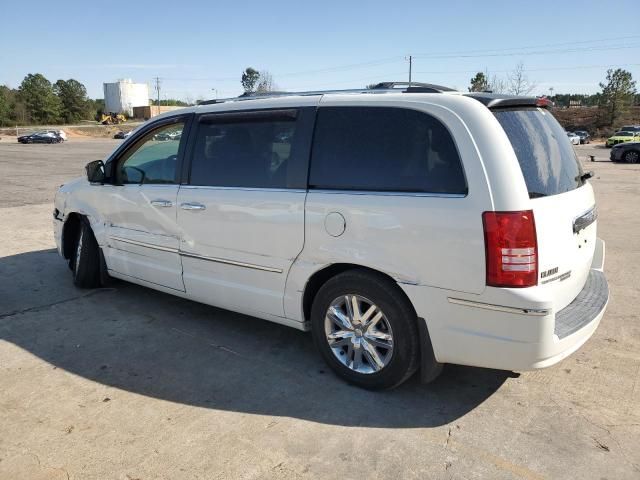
[(384, 87)]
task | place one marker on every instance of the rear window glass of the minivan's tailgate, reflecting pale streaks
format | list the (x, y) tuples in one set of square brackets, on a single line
[(547, 159)]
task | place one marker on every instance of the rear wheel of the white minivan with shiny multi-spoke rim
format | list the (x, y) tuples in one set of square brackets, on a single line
[(395, 356)]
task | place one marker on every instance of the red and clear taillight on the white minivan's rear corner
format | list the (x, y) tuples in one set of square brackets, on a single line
[(511, 249)]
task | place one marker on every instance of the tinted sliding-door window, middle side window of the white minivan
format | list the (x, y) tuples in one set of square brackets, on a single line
[(250, 150)]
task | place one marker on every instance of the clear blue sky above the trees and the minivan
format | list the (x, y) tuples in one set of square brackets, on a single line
[(196, 46)]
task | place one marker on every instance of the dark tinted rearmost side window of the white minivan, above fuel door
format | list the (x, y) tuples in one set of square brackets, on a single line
[(384, 149)]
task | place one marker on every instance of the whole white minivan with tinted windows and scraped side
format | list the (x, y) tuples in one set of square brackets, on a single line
[(405, 227)]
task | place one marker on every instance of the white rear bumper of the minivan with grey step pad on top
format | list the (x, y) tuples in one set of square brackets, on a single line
[(524, 337)]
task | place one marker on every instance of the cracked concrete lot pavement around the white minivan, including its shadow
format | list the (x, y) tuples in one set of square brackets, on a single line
[(129, 383)]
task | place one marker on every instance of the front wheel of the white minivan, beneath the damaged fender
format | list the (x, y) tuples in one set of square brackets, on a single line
[(85, 260)]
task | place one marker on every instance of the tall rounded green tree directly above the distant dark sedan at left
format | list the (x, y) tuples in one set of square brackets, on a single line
[(42, 104)]
